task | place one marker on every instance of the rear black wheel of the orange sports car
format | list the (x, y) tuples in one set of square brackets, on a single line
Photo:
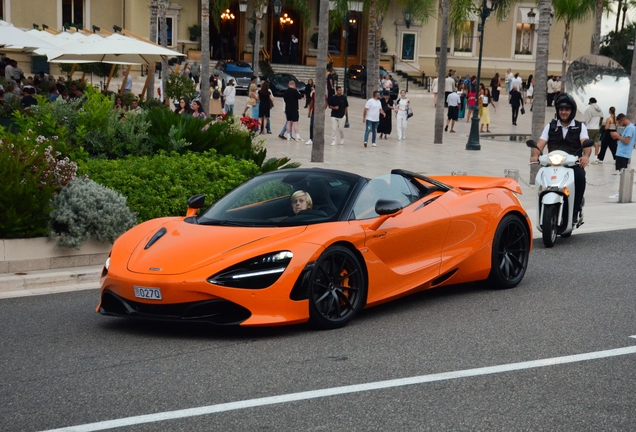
[(510, 253)]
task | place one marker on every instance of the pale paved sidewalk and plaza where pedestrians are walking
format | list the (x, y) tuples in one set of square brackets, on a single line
[(417, 153)]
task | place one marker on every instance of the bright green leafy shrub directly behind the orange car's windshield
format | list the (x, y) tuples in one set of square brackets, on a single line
[(160, 185)]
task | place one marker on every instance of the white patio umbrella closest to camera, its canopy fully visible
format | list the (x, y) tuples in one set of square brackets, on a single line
[(117, 49)]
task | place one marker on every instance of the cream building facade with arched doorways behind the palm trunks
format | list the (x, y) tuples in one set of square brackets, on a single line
[(413, 48)]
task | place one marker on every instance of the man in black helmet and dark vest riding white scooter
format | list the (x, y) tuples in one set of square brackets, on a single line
[(567, 134)]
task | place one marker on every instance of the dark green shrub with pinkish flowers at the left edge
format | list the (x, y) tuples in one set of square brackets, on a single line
[(30, 177)]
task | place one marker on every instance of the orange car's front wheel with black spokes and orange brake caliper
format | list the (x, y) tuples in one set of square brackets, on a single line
[(338, 289)]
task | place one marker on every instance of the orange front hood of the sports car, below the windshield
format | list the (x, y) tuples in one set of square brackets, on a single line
[(185, 247)]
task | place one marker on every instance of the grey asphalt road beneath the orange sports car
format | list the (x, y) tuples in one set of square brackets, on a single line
[(64, 365)]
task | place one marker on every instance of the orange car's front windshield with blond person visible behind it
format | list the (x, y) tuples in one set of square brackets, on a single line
[(283, 198)]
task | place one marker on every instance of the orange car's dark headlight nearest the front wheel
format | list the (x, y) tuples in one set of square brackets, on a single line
[(255, 273)]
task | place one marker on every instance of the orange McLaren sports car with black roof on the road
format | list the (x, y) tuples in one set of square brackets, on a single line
[(317, 245)]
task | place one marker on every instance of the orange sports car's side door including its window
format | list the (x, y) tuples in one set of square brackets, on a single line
[(405, 251)]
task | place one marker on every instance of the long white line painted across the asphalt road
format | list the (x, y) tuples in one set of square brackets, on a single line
[(314, 394)]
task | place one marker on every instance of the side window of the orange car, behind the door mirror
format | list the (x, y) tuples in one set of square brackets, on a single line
[(390, 187)]
